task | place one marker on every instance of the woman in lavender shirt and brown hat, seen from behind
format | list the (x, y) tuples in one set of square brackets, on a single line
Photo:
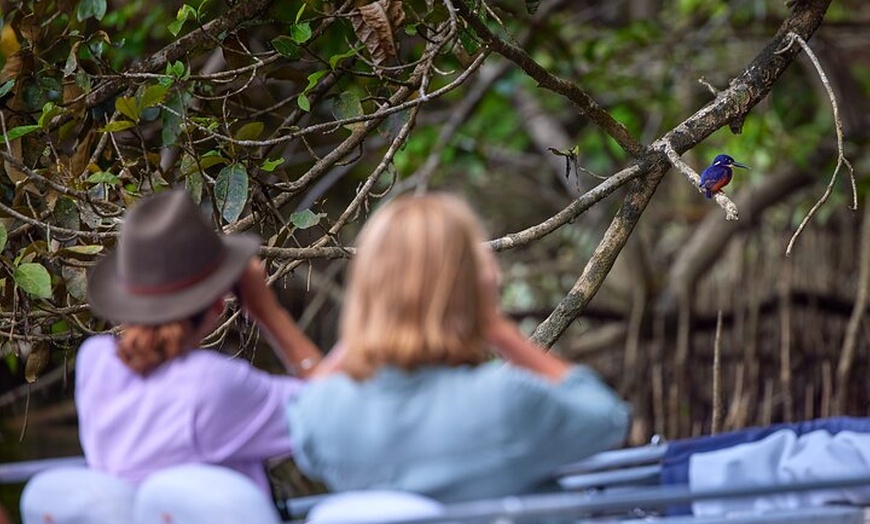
[(148, 399)]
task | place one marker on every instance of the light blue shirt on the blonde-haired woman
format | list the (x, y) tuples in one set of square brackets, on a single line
[(452, 433)]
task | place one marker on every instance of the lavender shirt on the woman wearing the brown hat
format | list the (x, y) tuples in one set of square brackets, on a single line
[(202, 407)]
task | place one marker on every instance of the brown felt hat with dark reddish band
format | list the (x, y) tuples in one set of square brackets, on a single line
[(169, 263)]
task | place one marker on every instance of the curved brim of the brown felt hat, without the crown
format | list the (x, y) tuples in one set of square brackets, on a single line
[(109, 298)]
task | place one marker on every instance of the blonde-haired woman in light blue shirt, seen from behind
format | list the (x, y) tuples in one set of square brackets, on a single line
[(418, 404)]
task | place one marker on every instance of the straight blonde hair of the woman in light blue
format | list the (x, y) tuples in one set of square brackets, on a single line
[(415, 295)]
